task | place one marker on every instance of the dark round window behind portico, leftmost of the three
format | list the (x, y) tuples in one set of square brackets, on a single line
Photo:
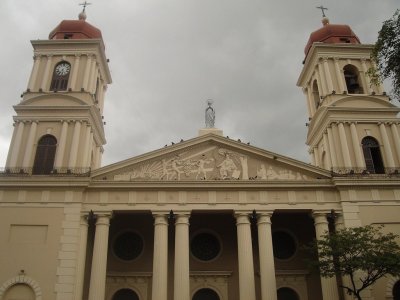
[(128, 245)]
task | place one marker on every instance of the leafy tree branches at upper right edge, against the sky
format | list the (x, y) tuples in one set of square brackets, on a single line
[(386, 54)]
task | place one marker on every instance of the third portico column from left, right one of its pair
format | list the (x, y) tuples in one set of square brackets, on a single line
[(181, 268)]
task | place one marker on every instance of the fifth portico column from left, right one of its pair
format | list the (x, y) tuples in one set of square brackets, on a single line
[(267, 264)]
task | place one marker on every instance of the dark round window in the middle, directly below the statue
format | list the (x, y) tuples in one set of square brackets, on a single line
[(205, 246)]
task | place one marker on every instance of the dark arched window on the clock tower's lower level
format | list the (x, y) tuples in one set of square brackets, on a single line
[(45, 154)]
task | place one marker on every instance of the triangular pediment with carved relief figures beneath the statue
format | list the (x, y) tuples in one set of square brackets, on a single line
[(210, 157)]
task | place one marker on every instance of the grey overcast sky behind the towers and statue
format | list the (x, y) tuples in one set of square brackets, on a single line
[(167, 57)]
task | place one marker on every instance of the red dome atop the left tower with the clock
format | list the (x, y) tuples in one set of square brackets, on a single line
[(75, 29)]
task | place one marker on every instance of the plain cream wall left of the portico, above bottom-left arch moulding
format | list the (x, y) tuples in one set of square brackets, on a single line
[(34, 247)]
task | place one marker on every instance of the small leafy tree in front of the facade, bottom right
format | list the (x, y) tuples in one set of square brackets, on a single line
[(363, 254)]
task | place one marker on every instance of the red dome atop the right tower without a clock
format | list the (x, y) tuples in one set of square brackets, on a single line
[(332, 34)]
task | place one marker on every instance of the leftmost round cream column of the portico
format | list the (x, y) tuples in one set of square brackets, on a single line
[(99, 260)]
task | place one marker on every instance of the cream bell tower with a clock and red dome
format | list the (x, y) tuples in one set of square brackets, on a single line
[(58, 127)]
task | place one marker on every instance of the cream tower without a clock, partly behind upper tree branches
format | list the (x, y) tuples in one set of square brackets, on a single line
[(353, 126)]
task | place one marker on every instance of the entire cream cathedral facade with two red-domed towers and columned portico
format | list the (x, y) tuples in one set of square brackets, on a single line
[(208, 218)]
